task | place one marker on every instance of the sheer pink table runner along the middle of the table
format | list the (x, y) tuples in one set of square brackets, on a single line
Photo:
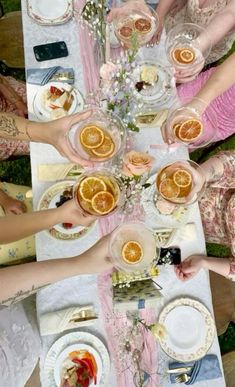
[(115, 322)]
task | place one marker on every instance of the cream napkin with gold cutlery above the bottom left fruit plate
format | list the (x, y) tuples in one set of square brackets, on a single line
[(61, 320)]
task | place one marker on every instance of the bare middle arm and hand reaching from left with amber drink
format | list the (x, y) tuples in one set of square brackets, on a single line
[(13, 228)]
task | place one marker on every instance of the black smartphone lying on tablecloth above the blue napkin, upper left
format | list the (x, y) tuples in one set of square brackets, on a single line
[(50, 51)]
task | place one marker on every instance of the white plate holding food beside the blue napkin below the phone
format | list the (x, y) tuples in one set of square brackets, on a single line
[(44, 113)]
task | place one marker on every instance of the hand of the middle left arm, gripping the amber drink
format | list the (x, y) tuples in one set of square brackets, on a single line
[(70, 213)]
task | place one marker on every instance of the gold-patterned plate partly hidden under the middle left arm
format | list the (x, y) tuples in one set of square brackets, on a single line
[(48, 200)]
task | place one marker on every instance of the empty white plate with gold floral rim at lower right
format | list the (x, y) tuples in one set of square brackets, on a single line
[(190, 329)]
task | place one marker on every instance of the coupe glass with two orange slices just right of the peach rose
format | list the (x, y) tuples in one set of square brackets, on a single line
[(181, 182)]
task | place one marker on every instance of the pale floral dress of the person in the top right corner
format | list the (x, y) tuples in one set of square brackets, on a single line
[(192, 12)]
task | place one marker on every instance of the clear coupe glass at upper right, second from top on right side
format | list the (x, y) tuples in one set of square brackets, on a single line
[(187, 36)]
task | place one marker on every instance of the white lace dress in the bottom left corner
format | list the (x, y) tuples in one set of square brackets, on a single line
[(19, 343)]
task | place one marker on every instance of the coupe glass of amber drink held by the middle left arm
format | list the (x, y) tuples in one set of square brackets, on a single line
[(113, 186)]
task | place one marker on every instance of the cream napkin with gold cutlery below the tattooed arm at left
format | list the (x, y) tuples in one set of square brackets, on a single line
[(53, 172)]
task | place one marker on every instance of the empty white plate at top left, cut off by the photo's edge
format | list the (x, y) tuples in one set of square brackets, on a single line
[(49, 12)]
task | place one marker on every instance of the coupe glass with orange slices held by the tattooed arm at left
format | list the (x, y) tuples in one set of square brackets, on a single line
[(112, 128)]
